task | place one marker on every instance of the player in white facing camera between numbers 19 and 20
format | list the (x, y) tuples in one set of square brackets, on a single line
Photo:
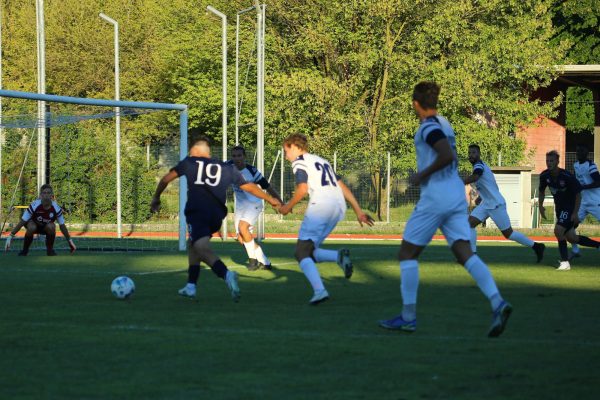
[(248, 208)]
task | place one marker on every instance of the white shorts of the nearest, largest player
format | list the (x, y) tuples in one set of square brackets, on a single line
[(424, 221)]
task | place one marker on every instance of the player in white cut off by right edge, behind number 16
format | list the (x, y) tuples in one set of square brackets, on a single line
[(587, 174)]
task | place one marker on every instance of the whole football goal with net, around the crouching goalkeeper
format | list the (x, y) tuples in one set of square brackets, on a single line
[(75, 144)]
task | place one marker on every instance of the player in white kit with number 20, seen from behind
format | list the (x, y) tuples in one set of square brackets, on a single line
[(326, 207)]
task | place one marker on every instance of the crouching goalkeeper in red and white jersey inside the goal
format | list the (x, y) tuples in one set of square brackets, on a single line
[(40, 218)]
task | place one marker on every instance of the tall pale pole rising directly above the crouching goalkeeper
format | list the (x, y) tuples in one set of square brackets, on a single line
[(41, 58)]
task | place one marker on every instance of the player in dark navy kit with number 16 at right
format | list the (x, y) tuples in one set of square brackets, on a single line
[(566, 191)]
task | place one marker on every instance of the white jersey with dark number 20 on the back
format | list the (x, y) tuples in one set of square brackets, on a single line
[(318, 174)]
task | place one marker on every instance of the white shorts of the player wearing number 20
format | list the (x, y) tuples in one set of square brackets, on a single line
[(318, 223)]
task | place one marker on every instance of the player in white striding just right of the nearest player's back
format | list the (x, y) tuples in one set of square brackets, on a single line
[(493, 205)]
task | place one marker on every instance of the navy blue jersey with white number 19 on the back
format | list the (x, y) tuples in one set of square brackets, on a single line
[(208, 180)]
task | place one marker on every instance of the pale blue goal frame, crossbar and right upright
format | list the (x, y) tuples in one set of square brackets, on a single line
[(182, 109)]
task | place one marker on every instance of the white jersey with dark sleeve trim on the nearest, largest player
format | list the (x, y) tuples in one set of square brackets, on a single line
[(443, 188)]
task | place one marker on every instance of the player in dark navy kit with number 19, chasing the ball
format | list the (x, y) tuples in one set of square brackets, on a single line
[(208, 180)]
